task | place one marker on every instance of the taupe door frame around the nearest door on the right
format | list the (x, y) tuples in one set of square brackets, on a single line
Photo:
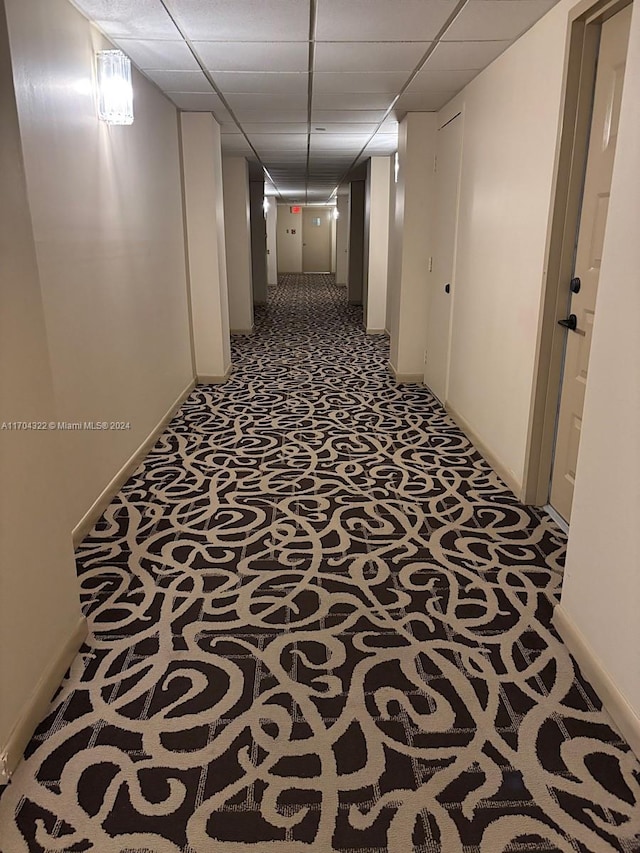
[(583, 41)]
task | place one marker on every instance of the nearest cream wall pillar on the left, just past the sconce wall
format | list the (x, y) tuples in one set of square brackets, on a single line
[(204, 223)]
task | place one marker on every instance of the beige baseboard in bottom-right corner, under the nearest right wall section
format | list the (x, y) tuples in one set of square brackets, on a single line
[(612, 699)]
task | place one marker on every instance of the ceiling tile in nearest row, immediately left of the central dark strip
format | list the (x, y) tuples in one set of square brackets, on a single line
[(249, 20)]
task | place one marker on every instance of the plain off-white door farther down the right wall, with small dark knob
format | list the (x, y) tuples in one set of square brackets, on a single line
[(448, 155)]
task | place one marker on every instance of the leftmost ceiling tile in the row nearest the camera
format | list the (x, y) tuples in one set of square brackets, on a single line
[(145, 19)]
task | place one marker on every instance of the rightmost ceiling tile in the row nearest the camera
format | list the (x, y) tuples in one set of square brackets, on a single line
[(496, 19)]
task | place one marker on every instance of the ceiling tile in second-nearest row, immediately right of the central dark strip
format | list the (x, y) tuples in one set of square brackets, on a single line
[(368, 56)]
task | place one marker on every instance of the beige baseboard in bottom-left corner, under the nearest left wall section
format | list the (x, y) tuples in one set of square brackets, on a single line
[(39, 701)]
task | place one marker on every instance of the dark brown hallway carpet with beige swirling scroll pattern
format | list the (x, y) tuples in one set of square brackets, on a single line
[(319, 622)]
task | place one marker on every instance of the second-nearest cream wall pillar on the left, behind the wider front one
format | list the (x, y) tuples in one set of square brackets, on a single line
[(237, 231)]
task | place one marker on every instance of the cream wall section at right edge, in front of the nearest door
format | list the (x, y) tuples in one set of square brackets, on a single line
[(601, 590)]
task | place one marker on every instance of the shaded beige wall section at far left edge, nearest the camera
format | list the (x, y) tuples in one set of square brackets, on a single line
[(39, 607)]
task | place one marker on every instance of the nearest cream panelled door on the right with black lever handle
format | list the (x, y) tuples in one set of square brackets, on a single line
[(593, 219)]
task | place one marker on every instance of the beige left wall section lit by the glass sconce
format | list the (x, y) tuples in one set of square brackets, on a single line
[(107, 220)]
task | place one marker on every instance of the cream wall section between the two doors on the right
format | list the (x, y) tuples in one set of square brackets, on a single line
[(509, 147)]
